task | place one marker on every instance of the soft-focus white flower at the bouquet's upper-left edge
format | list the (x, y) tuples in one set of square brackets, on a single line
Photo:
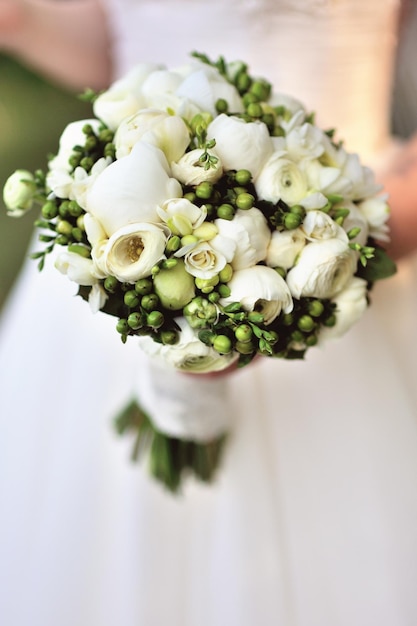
[(124, 97)]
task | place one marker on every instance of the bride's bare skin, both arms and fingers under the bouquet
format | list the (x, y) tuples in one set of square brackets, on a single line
[(68, 42)]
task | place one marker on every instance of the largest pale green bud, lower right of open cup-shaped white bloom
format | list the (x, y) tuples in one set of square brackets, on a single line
[(175, 286)]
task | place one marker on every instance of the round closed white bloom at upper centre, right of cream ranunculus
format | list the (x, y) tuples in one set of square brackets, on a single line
[(240, 144)]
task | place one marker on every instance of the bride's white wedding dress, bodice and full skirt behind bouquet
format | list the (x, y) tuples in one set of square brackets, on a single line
[(312, 520)]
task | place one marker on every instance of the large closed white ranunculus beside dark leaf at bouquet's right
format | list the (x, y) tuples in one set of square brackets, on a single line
[(323, 269)]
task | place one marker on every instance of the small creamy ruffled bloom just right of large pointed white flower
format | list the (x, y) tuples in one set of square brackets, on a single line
[(181, 216)]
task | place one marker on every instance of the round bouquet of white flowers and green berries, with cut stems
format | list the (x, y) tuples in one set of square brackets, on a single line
[(214, 220)]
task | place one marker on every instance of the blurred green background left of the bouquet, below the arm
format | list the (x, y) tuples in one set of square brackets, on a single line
[(33, 114)]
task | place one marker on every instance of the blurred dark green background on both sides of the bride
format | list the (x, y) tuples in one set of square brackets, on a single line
[(33, 114)]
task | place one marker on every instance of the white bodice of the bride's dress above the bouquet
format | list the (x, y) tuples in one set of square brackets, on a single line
[(336, 56)]
